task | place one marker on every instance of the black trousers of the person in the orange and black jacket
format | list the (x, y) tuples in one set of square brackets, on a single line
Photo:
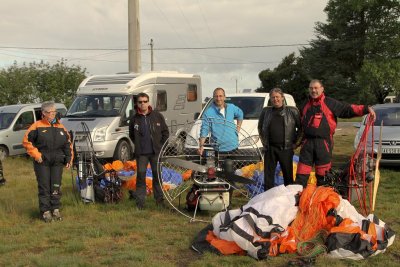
[(48, 177)]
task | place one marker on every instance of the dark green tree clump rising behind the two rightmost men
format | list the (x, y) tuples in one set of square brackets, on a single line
[(356, 54)]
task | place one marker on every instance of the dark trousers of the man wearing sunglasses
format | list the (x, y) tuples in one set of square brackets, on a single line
[(142, 162)]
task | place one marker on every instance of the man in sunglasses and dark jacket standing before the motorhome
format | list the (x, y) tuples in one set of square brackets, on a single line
[(148, 131)]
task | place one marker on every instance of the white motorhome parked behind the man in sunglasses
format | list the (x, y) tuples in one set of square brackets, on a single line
[(105, 104)]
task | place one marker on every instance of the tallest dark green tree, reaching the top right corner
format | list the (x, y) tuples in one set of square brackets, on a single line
[(356, 31)]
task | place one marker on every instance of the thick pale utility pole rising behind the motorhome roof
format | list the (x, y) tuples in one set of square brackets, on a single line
[(134, 36)]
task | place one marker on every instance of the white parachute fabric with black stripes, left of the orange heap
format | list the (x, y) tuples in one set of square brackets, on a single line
[(269, 212)]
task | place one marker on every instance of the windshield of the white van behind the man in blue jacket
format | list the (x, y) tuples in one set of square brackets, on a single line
[(251, 106)]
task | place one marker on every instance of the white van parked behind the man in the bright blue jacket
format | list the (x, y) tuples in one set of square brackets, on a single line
[(251, 104)]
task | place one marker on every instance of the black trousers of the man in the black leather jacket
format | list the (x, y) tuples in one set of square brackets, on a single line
[(285, 158)]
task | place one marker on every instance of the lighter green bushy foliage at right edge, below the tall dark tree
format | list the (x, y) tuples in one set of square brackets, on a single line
[(380, 78)]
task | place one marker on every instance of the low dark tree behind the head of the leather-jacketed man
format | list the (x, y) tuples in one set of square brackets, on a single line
[(288, 75)]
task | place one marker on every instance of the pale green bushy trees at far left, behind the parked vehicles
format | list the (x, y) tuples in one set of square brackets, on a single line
[(38, 82)]
